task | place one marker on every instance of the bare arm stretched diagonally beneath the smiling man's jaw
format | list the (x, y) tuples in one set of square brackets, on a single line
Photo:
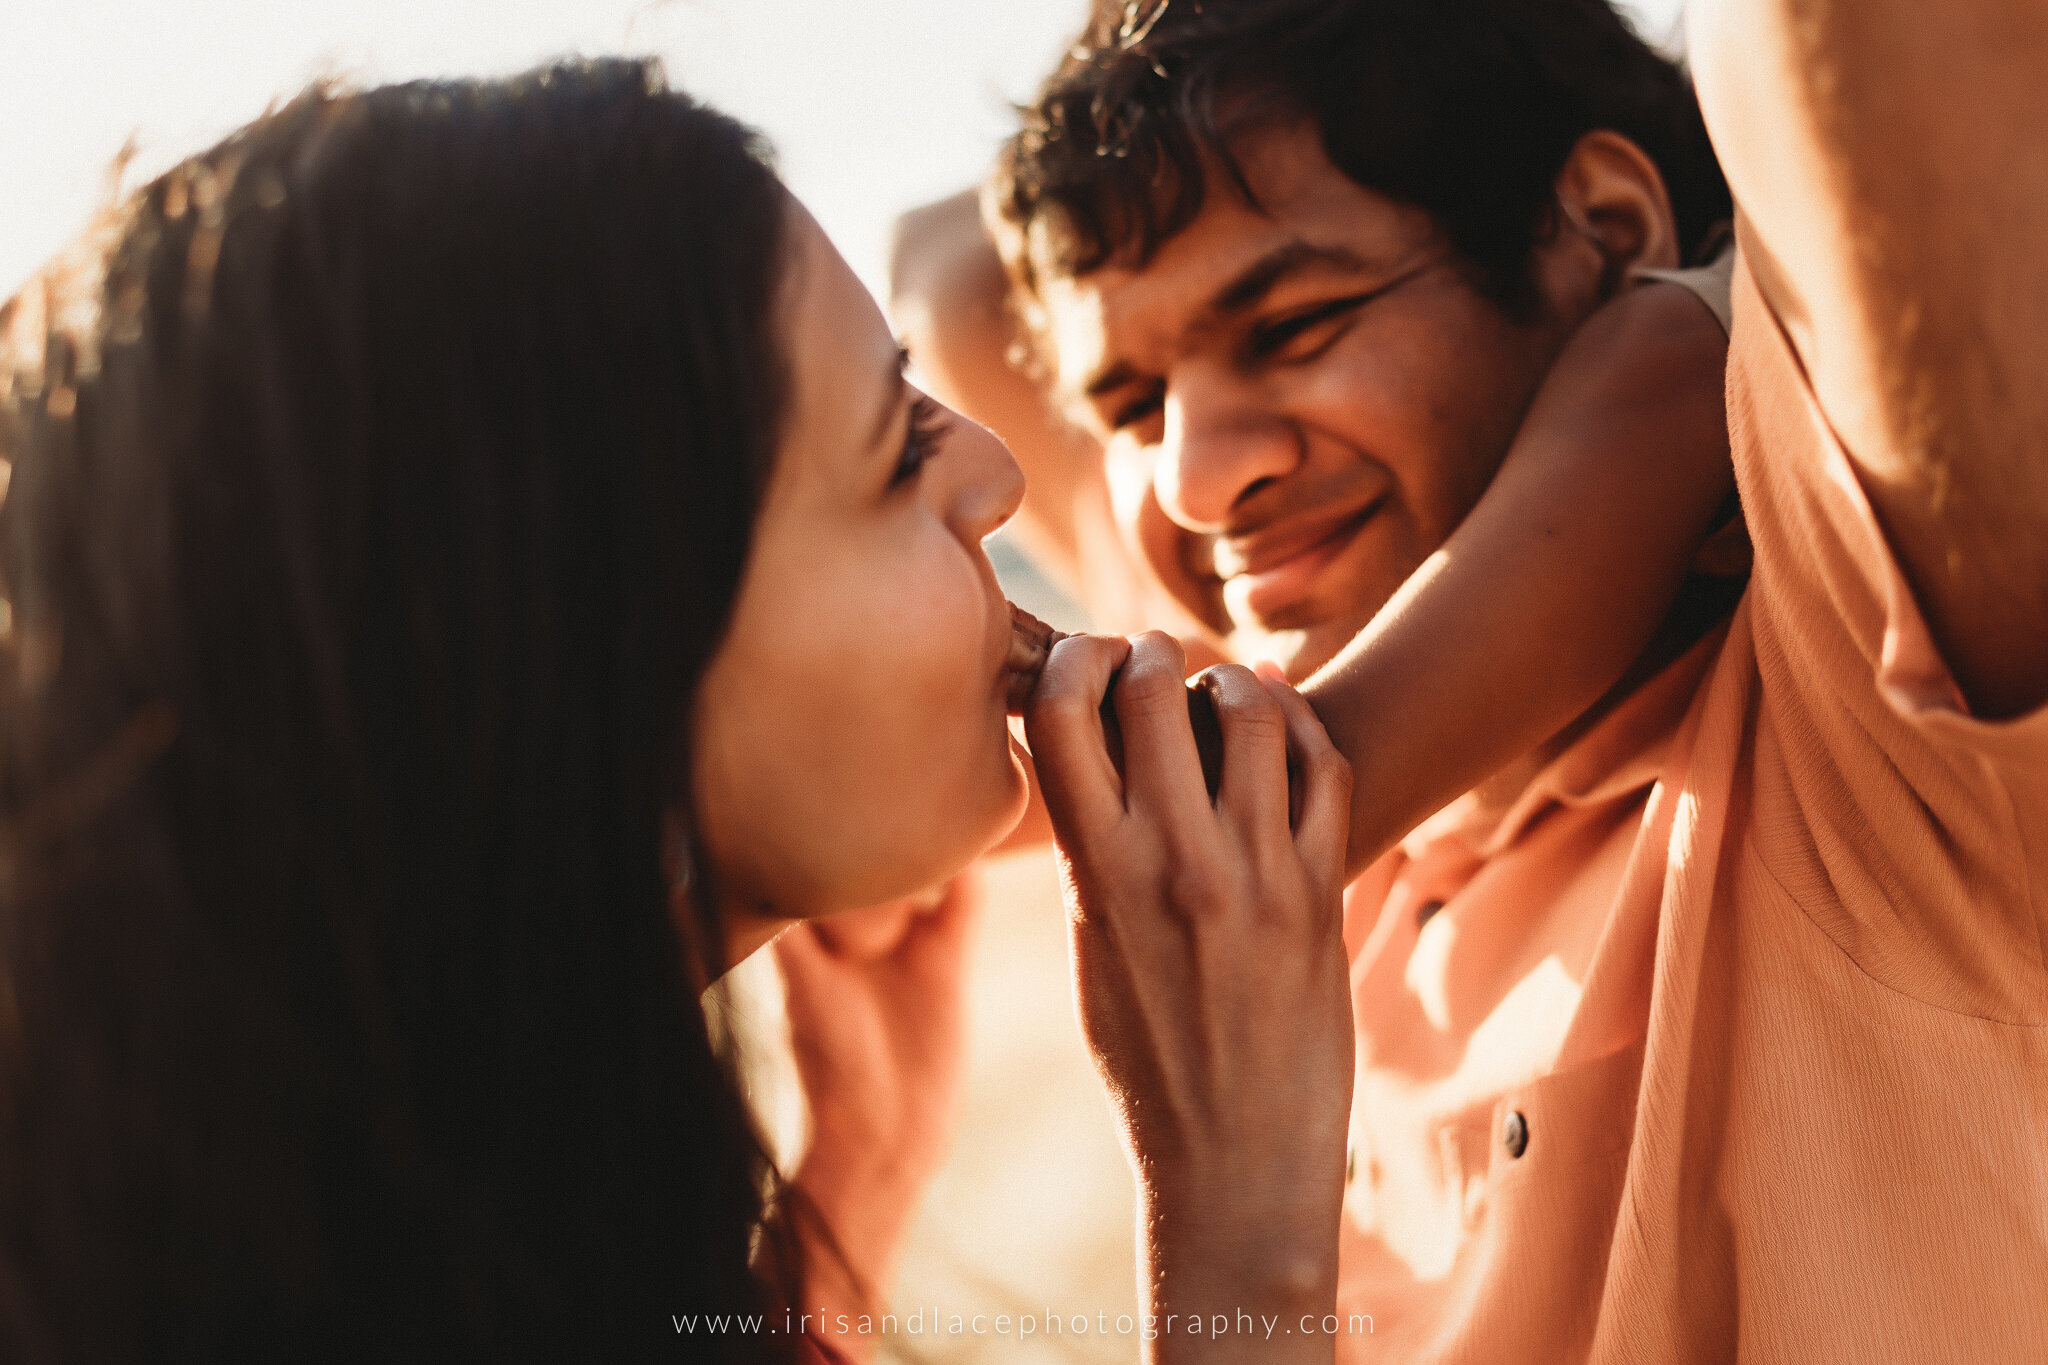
[(1553, 584)]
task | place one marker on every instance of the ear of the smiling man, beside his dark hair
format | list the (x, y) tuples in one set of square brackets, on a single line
[(1611, 206)]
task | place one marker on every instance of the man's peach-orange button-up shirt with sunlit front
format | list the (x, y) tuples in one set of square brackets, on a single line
[(1754, 977)]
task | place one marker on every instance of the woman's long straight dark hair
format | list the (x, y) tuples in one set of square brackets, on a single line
[(378, 500)]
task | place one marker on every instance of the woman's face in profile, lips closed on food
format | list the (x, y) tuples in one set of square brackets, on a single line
[(851, 736)]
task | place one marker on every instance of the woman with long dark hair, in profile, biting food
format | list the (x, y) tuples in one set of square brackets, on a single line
[(474, 572)]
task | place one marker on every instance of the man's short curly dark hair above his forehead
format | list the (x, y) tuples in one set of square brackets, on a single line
[(1465, 109)]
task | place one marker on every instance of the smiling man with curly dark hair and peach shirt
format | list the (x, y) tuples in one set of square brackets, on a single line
[(1711, 1028)]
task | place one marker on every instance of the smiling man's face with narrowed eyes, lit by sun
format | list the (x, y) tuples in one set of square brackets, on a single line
[(1312, 396)]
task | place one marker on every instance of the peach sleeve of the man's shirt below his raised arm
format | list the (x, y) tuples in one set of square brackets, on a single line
[(1910, 830)]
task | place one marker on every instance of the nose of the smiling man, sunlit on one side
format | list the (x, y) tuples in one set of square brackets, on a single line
[(1222, 445)]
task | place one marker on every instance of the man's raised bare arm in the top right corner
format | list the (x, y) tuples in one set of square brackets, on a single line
[(1891, 163)]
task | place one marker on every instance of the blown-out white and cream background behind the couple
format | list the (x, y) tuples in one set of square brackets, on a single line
[(873, 109)]
